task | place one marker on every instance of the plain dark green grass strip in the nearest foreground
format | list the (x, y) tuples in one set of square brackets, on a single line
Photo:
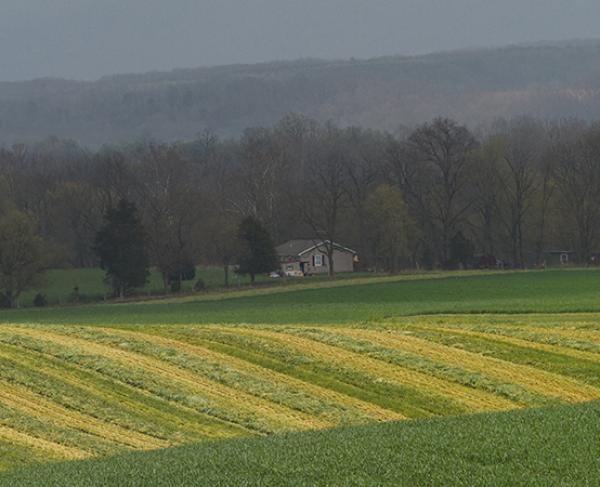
[(552, 447)]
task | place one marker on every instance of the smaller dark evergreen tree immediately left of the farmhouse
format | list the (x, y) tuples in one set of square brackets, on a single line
[(258, 253)]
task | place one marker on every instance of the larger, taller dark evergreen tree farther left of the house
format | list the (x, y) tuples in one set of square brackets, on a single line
[(121, 247)]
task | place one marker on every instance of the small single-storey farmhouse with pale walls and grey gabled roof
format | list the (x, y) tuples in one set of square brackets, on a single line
[(310, 257)]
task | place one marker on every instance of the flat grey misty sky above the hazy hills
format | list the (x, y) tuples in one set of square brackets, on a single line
[(85, 39)]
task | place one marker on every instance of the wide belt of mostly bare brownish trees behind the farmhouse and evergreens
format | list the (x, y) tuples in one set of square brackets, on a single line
[(437, 196)]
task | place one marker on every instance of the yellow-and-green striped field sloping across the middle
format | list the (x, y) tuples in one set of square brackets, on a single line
[(72, 392)]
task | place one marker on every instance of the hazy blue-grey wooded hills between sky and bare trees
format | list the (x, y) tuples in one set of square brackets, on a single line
[(548, 80)]
